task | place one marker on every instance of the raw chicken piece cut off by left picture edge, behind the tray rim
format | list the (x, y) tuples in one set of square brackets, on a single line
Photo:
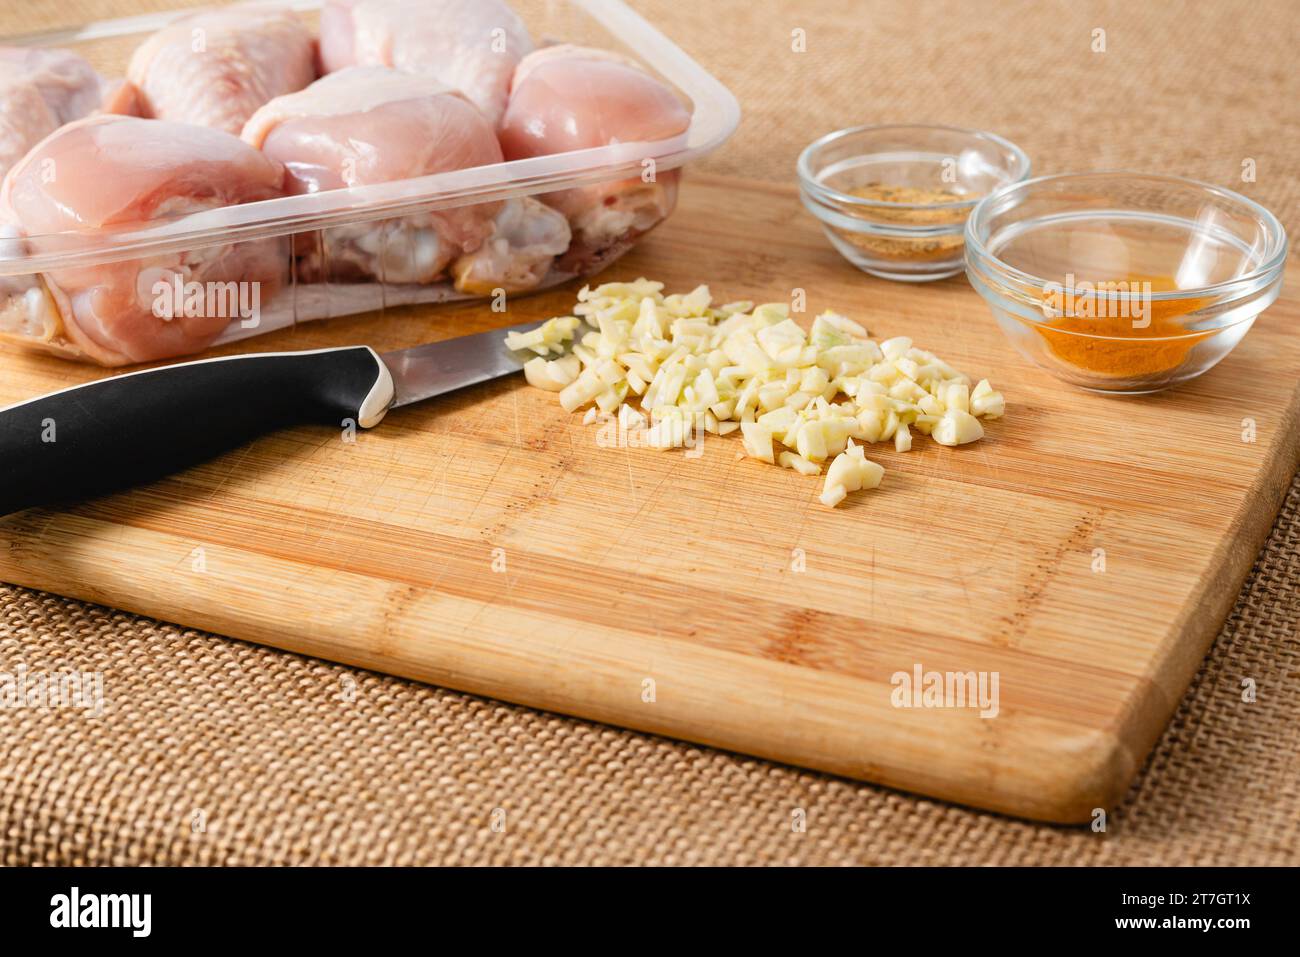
[(41, 90)]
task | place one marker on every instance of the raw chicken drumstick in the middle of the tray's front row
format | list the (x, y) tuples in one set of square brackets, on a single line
[(370, 125)]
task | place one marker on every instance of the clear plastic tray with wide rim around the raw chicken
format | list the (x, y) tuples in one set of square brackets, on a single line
[(605, 24)]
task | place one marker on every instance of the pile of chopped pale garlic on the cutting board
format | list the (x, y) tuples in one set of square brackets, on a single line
[(756, 370)]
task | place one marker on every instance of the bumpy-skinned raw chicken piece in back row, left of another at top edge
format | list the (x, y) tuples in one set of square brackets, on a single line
[(218, 68)]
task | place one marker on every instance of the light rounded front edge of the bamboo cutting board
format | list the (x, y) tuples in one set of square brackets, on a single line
[(1064, 782)]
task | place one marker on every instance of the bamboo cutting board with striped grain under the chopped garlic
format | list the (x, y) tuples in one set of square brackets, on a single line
[(1086, 552)]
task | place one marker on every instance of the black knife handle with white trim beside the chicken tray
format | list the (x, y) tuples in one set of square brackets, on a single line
[(141, 426)]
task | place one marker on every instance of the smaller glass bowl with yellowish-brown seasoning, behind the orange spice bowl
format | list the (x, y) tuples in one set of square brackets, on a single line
[(895, 200)]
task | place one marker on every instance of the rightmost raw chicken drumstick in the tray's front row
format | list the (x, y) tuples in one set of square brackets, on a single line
[(574, 98)]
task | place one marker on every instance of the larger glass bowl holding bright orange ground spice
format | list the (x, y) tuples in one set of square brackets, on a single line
[(1124, 283)]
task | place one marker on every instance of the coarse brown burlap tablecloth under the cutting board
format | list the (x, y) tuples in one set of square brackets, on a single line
[(218, 752)]
